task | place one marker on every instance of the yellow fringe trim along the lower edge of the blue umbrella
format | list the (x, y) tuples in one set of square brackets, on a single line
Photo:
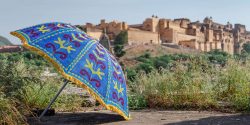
[(68, 77)]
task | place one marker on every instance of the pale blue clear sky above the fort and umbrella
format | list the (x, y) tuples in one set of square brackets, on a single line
[(17, 14)]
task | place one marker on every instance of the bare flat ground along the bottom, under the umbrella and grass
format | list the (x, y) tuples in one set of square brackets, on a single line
[(145, 117)]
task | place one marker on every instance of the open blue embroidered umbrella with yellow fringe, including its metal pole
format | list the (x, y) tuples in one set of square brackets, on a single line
[(80, 59)]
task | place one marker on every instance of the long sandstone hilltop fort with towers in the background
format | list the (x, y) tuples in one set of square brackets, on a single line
[(203, 36)]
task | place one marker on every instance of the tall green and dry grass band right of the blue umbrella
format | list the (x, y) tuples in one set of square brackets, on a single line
[(198, 86)]
